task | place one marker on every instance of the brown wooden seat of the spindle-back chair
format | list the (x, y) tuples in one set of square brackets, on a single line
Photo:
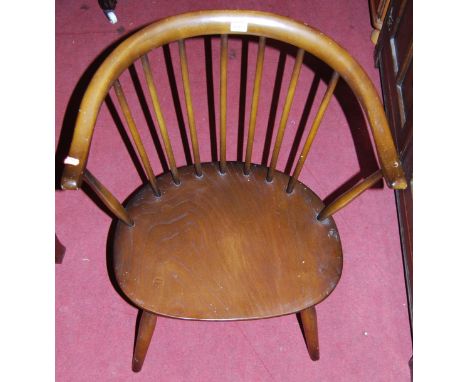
[(226, 246)]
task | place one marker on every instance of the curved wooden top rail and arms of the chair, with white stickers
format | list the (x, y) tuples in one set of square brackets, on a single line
[(231, 22)]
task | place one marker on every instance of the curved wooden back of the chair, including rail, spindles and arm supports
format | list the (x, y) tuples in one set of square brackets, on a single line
[(262, 26)]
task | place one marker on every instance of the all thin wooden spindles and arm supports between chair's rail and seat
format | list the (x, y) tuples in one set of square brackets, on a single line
[(112, 203)]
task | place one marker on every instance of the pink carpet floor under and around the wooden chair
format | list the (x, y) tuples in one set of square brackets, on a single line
[(363, 326)]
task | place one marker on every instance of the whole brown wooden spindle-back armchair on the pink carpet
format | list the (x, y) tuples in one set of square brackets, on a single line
[(226, 240)]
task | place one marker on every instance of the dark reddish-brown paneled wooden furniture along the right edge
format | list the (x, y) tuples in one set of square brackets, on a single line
[(394, 57)]
